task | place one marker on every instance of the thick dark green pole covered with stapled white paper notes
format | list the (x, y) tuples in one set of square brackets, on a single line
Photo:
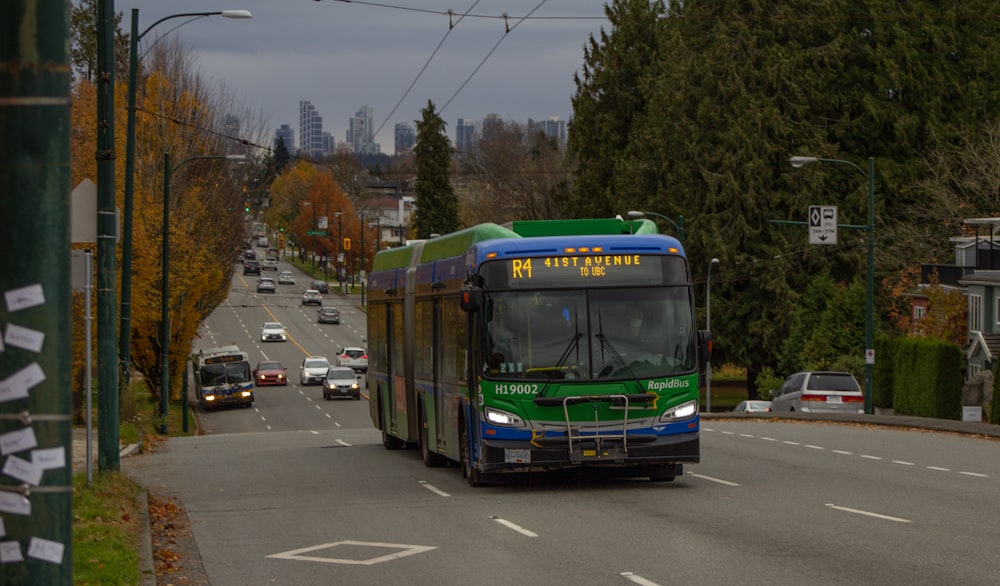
[(35, 277)]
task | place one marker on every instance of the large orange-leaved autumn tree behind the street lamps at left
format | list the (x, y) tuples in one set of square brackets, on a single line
[(179, 113)]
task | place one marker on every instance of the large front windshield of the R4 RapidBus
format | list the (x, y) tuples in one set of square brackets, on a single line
[(588, 334)]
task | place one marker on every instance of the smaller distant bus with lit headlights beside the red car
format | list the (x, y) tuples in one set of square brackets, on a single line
[(223, 377)]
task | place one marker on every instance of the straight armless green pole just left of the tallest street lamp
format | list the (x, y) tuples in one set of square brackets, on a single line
[(107, 276)]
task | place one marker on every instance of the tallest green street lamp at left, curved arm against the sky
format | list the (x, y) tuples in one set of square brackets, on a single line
[(125, 331)]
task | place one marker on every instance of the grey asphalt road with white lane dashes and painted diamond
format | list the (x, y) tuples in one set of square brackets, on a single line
[(300, 491)]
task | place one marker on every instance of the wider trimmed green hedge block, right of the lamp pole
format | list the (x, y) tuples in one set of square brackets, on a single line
[(927, 378)]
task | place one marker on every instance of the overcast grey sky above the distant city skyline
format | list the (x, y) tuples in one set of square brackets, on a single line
[(343, 55)]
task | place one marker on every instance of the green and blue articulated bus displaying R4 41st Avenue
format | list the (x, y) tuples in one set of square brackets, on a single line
[(540, 346)]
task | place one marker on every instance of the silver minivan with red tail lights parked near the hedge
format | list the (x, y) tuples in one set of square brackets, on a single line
[(819, 392)]
